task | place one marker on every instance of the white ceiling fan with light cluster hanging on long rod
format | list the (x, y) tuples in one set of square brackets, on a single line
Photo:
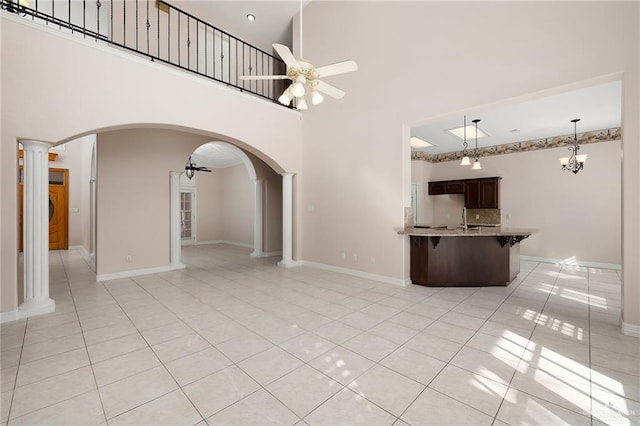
[(305, 76)]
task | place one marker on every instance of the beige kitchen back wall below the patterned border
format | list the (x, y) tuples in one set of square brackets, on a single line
[(535, 193)]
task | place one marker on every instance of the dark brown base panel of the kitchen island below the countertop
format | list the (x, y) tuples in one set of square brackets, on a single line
[(461, 261)]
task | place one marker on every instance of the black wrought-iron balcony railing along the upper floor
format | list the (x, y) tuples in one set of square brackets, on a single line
[(163, 33)]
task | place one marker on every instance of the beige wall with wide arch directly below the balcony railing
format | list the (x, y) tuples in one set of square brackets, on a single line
[(88, 88)]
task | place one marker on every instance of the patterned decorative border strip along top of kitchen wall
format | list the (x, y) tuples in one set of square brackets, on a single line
[(606, 135)]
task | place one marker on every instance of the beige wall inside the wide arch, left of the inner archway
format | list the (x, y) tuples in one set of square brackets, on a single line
[(133, 196)]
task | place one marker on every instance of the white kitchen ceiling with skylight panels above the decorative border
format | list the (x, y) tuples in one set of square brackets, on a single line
[(598, 107)]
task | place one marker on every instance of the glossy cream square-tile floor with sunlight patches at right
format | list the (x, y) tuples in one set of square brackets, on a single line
[(231, 340)]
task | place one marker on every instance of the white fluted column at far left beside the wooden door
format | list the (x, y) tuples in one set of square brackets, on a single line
[(36, 230)]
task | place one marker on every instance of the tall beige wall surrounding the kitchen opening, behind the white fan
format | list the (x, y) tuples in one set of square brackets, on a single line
[(435, 59)]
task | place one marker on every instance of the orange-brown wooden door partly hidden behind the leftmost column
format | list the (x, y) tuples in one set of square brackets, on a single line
[(58, 209)]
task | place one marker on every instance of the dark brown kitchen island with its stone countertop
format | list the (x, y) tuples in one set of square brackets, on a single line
[(480, 256)]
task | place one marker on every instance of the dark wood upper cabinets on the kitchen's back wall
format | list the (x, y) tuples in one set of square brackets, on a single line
[(483, 193)]
